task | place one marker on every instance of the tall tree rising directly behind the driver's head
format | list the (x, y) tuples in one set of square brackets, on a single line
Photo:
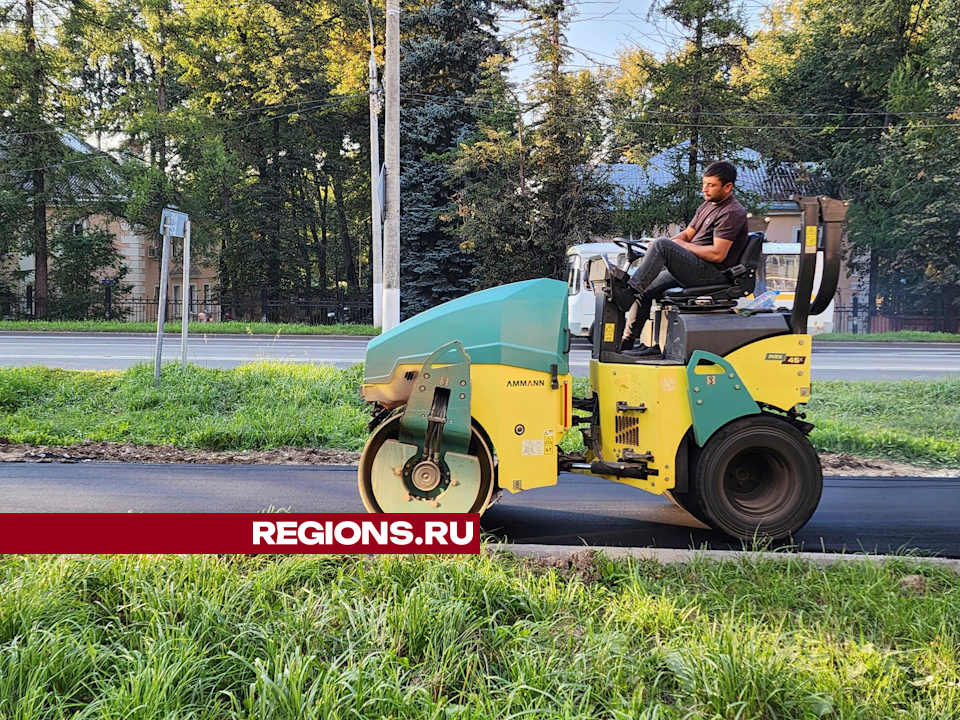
[(687, 104)]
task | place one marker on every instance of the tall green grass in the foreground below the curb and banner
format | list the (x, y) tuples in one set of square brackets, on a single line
[(470, 637)]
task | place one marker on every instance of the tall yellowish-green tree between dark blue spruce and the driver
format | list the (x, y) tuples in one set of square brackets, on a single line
[(533, 176)]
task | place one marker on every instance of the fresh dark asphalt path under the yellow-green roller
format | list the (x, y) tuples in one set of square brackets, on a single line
[(855, 514)]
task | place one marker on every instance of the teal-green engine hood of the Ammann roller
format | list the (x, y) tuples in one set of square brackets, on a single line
[(522, 325)]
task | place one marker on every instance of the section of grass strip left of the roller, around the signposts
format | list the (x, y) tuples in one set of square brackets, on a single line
[(260, 405)]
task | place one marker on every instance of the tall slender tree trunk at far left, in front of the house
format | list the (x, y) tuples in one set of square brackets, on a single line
[(40, 251)]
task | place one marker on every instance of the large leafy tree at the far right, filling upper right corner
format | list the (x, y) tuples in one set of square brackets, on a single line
[(870, 84)]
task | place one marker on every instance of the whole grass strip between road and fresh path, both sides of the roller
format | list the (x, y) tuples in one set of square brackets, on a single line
[(267, 404)]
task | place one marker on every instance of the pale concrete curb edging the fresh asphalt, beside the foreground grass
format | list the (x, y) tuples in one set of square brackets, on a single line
[(671, 557)]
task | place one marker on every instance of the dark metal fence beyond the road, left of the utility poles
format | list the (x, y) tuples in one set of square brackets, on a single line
[(259, 307)]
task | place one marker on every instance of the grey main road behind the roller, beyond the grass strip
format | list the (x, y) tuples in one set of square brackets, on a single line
[(840, 361)]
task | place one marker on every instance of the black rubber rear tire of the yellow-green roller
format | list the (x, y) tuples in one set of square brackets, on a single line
[(755, 478)]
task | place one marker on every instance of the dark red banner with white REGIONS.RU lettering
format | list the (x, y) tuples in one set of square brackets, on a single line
[(249, 533)]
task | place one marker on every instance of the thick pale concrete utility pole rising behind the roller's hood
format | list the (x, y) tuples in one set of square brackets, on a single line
[(391, 230)]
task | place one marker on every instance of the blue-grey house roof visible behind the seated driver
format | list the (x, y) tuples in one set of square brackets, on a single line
[(770, 181)]
